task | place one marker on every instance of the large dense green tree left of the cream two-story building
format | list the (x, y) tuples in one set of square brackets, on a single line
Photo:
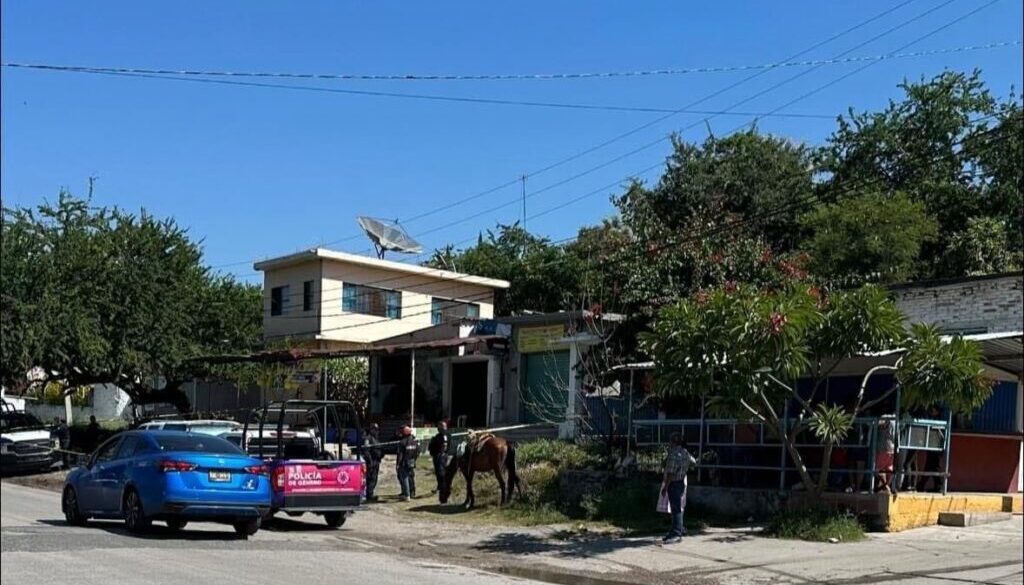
[(98, 296)]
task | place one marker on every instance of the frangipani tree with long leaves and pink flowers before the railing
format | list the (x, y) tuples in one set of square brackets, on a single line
[(744, 349)]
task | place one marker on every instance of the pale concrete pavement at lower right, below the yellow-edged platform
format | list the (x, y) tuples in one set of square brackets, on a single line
[(991, 554)]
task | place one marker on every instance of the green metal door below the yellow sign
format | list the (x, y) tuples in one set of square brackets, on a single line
[(545, 387)]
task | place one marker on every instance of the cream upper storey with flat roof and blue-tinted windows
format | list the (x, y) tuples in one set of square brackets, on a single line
[(326, 300)]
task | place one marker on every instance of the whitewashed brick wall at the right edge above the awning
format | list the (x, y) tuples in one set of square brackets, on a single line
[(984, 305)]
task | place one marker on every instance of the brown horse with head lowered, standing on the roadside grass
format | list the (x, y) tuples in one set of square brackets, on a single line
[(489, 454)]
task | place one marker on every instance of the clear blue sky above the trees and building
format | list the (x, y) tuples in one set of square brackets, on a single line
[(264, 172)]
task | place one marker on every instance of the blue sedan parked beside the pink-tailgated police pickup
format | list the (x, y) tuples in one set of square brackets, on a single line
[(147, 476)]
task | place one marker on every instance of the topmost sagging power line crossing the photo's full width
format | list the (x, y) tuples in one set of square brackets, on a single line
[(507, 77)]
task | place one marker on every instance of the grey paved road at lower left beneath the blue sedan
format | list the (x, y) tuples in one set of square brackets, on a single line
[(38, 550)]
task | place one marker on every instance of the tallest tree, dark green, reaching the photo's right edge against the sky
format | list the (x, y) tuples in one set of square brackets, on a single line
[(950, 145)]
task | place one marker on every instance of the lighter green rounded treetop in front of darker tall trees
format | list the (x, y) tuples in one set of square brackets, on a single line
[(871, 238)]
